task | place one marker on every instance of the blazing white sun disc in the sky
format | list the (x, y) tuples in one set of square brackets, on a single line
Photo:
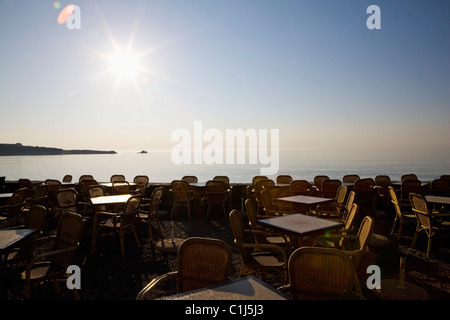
[(124, 64)]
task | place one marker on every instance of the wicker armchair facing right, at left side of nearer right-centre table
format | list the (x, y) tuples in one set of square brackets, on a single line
[(268, 259)]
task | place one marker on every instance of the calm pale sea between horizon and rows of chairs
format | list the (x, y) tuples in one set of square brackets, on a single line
[(301, 164)]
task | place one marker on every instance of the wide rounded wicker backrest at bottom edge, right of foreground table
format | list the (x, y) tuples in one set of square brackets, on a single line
[(321, 273)]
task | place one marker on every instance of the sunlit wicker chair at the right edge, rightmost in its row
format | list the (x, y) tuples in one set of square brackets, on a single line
[(432, 223)]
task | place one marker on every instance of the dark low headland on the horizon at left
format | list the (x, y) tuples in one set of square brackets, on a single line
[(18, 149)]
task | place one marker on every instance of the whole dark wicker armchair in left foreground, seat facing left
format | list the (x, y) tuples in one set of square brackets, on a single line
[(59, 257)]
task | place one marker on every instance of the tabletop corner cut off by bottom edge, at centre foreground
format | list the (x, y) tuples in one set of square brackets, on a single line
[(246, 288)]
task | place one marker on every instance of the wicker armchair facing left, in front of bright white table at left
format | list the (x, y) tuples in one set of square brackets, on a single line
[(117, 222)]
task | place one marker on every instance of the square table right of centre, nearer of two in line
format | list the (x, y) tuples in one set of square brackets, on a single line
[(298, 225)]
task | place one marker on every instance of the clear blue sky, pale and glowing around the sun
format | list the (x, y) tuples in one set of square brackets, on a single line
[(311, 69)]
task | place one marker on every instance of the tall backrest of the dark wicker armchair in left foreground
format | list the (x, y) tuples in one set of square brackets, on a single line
[(68, 234)]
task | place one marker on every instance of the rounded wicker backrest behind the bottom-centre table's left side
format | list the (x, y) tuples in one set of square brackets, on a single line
[(202, 262)]
